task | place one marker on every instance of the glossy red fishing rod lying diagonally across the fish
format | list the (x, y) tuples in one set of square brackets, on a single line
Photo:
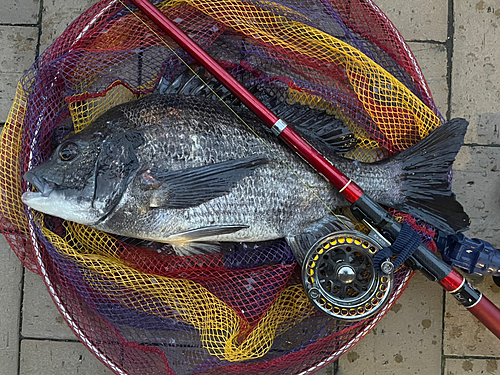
[(363, 206)]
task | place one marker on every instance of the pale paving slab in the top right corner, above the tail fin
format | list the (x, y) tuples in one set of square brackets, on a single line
[(476, 58)]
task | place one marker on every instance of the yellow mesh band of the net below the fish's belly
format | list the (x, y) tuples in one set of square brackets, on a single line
[(218, 324)]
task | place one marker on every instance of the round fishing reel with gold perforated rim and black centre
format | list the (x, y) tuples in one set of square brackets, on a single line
[(340, 279)]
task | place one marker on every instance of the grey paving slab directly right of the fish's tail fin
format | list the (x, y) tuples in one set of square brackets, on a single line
[(476, 183)]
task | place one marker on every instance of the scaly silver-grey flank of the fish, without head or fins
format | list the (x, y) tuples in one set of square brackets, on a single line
[(188, 132)]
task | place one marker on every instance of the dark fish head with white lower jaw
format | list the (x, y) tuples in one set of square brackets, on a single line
[(84, 179)]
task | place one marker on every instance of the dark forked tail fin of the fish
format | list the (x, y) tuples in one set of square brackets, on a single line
[(426, 170)]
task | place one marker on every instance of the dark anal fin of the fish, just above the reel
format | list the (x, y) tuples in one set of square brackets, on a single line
[(301, 243)]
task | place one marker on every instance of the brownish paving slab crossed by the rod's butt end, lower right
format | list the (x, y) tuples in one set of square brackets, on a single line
[(464, 335)]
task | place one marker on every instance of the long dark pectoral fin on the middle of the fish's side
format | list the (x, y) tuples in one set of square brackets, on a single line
[(194, 186)]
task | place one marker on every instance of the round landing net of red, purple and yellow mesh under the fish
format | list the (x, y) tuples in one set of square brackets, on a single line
[(242, 310)]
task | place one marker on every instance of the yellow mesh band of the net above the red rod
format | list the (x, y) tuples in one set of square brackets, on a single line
[(389, 103)]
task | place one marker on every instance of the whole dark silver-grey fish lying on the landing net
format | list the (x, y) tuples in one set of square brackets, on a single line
[(184, 170)]
